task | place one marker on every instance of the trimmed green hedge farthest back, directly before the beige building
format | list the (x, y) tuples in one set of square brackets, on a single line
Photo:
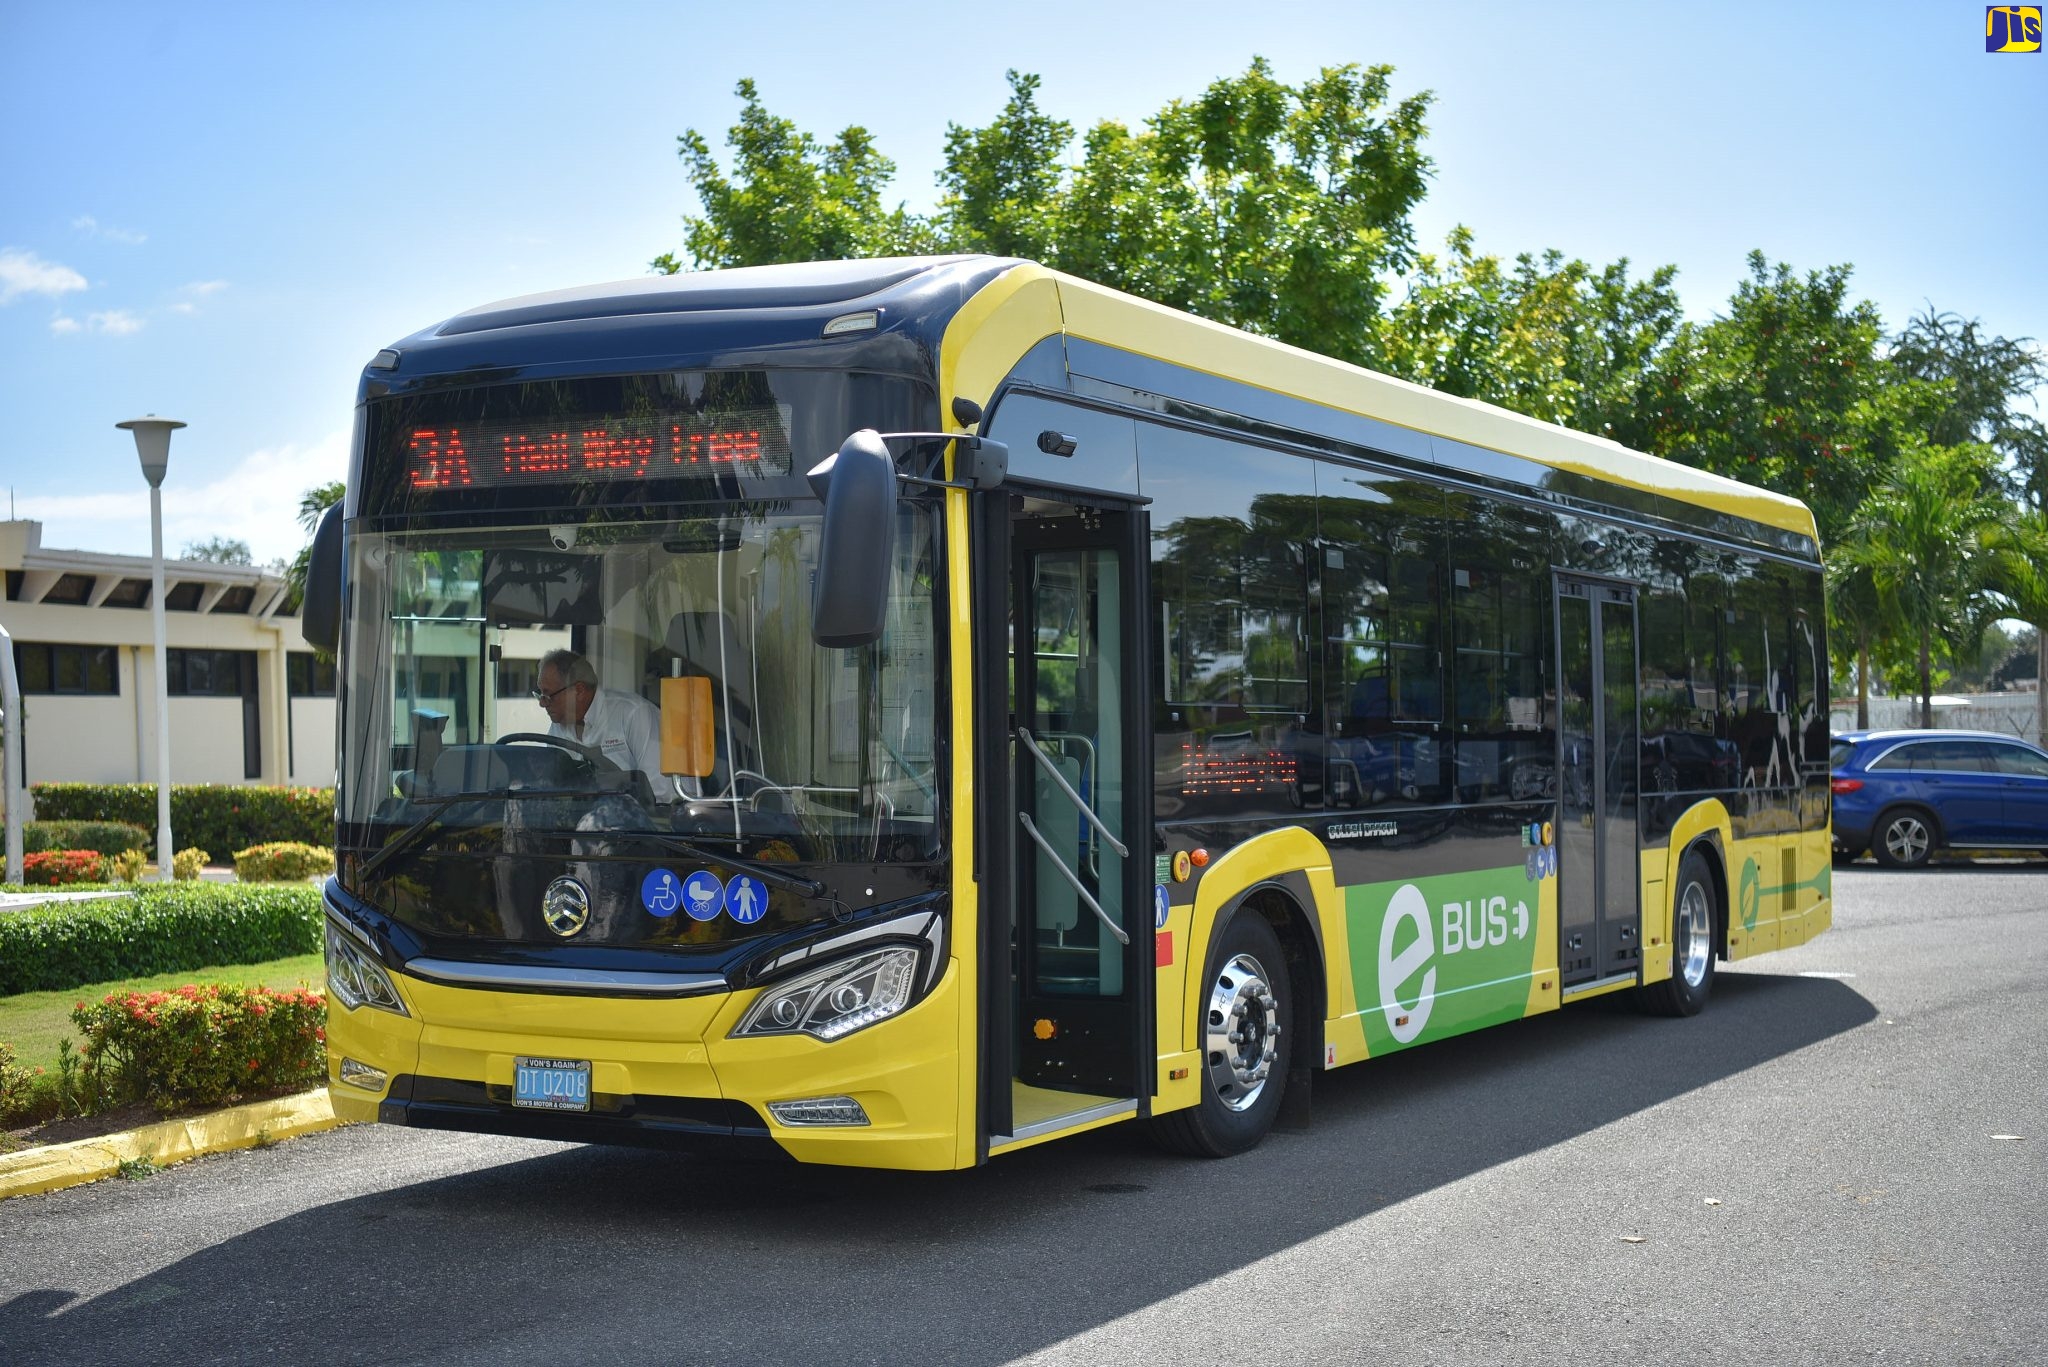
[(214, 817)]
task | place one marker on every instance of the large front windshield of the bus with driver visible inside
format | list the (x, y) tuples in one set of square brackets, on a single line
[(560, 688)]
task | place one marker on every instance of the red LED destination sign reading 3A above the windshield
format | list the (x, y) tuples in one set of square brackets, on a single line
[(462, 456)]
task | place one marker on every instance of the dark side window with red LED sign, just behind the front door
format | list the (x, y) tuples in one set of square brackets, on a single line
[(1234, 532)]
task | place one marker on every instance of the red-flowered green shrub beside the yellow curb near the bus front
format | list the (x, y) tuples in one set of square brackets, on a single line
[(206, 1046)]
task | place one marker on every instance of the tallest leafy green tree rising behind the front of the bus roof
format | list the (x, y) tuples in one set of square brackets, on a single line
[(1283, 210)]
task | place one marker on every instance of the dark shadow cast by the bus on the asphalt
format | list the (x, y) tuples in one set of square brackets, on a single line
[(597, 1253)]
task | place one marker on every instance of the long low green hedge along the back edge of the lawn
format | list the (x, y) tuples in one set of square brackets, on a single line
[(161, 929)]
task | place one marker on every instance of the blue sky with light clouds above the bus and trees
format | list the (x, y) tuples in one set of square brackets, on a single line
[(220, 212)]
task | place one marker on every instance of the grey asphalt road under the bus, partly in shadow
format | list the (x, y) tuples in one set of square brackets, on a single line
[(1809, 1171)]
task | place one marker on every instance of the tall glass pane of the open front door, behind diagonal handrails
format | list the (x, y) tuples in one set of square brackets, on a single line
[(1076, 643)]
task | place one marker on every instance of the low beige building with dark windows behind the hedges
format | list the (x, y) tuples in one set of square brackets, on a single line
[(249, 700)]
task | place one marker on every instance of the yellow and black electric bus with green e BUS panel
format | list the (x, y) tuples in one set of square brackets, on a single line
[(1002, 708)]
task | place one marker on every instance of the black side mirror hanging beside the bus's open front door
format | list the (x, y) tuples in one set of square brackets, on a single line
[(857, 550)]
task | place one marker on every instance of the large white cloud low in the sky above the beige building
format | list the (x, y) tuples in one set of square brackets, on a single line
[(257, 501)]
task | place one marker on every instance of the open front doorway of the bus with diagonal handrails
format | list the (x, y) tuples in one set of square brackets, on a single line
[(1068, 913)]
